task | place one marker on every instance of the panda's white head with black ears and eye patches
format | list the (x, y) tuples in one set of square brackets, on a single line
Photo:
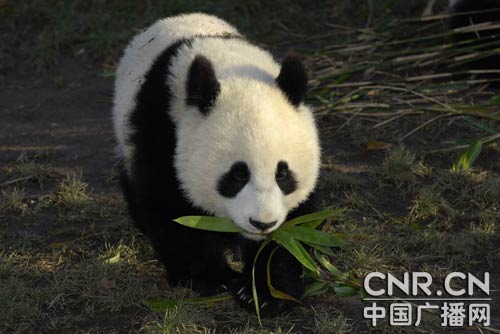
[(247, 149)]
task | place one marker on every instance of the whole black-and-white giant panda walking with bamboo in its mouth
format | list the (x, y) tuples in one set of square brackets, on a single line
[(207, 123)]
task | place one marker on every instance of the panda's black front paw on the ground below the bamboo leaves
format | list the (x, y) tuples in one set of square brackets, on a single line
[(268, 305)]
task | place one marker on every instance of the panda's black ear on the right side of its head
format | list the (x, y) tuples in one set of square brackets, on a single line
[(292, 79)]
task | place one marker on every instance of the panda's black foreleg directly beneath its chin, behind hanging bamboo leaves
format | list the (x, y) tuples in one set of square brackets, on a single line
[(286, 276)]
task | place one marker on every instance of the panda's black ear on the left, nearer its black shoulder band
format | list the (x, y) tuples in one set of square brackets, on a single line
[(202, 85)]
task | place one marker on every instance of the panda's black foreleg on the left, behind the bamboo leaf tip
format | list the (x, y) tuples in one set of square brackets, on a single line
[(192, 258)]
